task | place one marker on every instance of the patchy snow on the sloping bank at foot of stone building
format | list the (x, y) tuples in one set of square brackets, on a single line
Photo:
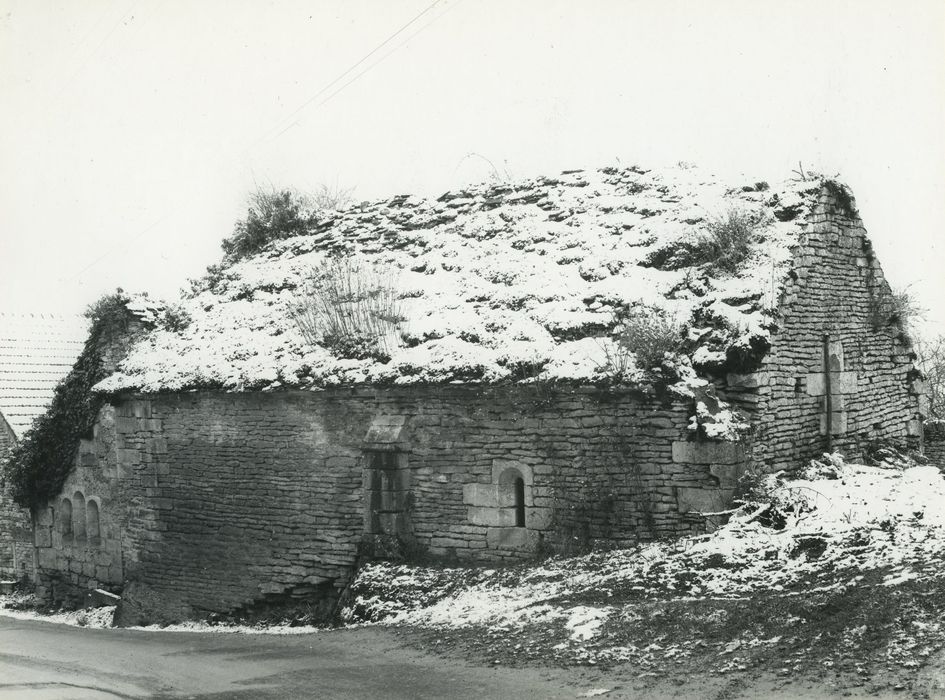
[(840, 521)]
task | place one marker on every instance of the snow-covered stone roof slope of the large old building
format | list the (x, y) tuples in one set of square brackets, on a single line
[(493, 278)]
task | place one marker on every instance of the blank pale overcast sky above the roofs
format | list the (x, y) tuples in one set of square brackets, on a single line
[(131, 131)]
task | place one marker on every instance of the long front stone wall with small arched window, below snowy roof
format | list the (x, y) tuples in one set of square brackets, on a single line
[(225, 501)]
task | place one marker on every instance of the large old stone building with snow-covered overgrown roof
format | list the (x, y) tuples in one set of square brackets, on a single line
[(592, 358)]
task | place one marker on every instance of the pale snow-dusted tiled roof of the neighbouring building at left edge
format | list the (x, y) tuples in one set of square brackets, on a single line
[(36, 351)]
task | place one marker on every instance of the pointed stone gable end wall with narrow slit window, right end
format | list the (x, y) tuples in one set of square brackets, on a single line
[(835, 287)]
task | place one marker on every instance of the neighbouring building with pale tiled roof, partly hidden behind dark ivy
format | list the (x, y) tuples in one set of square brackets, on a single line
[(36, 351)]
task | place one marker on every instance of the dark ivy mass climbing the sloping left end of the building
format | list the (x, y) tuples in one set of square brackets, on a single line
[(41, 462)]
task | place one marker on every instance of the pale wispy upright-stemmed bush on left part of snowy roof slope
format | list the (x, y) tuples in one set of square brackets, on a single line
[(350, 307)]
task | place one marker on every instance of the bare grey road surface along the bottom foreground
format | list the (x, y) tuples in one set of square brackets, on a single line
[(40, 660)]
